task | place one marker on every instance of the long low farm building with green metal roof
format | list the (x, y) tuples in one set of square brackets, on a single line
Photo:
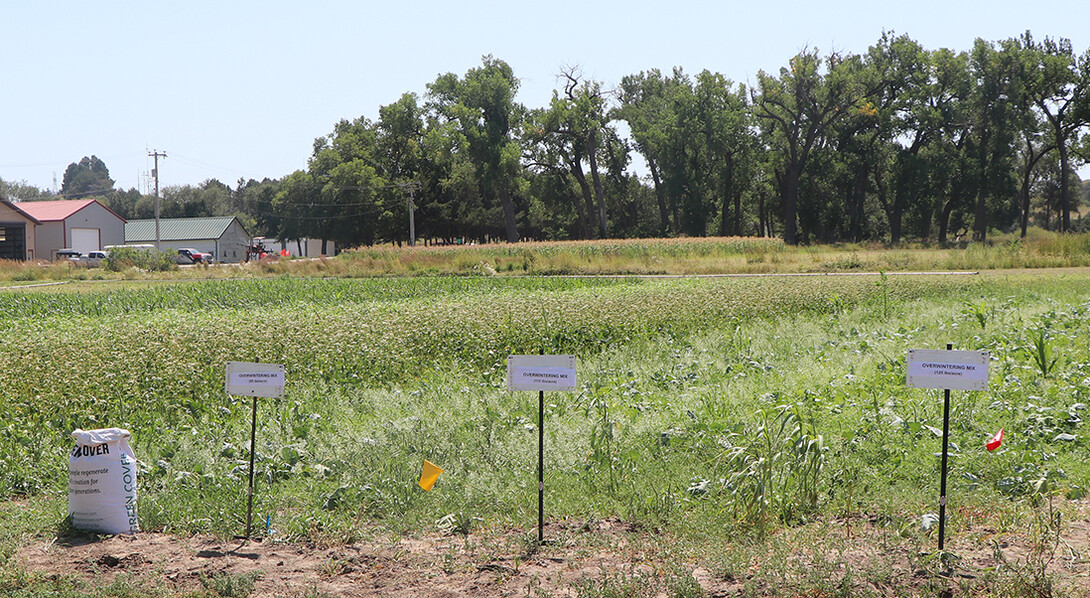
[(223, 237)]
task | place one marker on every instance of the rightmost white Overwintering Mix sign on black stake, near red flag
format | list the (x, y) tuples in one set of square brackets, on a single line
[(947, 370)]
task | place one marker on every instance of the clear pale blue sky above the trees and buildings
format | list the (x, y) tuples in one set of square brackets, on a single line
[(241, 89)]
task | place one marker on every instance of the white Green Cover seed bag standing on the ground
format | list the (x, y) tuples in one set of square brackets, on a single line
[(103, 482)]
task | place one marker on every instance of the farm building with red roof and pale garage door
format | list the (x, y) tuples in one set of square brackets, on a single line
[(81, 225)]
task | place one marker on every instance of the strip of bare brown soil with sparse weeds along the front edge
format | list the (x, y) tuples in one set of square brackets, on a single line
[(498, 564)]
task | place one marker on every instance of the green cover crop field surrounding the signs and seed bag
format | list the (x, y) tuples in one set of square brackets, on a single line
[(744, 433)]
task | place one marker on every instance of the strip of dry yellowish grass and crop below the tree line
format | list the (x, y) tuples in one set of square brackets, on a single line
[(646, 257)]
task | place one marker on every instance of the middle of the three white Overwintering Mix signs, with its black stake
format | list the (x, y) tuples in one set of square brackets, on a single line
[(541, 373)]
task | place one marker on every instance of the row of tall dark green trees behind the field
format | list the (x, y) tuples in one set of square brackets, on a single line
[(899, 143)]
